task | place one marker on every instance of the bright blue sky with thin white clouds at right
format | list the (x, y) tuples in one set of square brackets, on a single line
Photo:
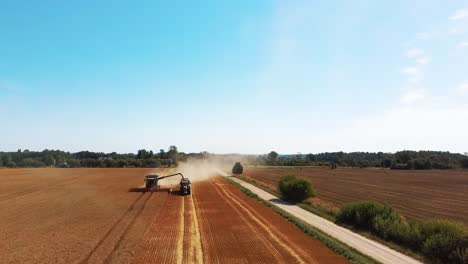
[(234, 76)]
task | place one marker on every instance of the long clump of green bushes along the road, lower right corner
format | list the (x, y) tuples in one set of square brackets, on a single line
[(442, 241)]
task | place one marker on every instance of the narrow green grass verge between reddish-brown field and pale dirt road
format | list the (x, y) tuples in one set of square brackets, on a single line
[(351, 254)]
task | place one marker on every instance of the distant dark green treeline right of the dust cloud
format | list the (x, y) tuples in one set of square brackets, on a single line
[(402, 160)]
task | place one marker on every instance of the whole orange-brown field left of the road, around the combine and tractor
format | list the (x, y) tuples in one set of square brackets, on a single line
[(89, 216)]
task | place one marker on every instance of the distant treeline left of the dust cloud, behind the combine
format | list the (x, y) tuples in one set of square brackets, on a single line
[(62, 159)]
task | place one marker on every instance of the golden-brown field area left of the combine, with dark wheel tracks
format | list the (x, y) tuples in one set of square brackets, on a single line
[(73, 215)]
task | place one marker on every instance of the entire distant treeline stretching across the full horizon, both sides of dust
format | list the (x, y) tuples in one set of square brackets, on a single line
[(403, 160)]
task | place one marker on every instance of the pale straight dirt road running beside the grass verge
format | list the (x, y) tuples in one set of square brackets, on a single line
[(371, 248)]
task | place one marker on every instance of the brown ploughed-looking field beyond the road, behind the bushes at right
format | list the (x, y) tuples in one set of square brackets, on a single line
[(420, 194)]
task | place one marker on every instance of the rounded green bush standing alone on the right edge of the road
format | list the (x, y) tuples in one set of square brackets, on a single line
[(295, 189)]
